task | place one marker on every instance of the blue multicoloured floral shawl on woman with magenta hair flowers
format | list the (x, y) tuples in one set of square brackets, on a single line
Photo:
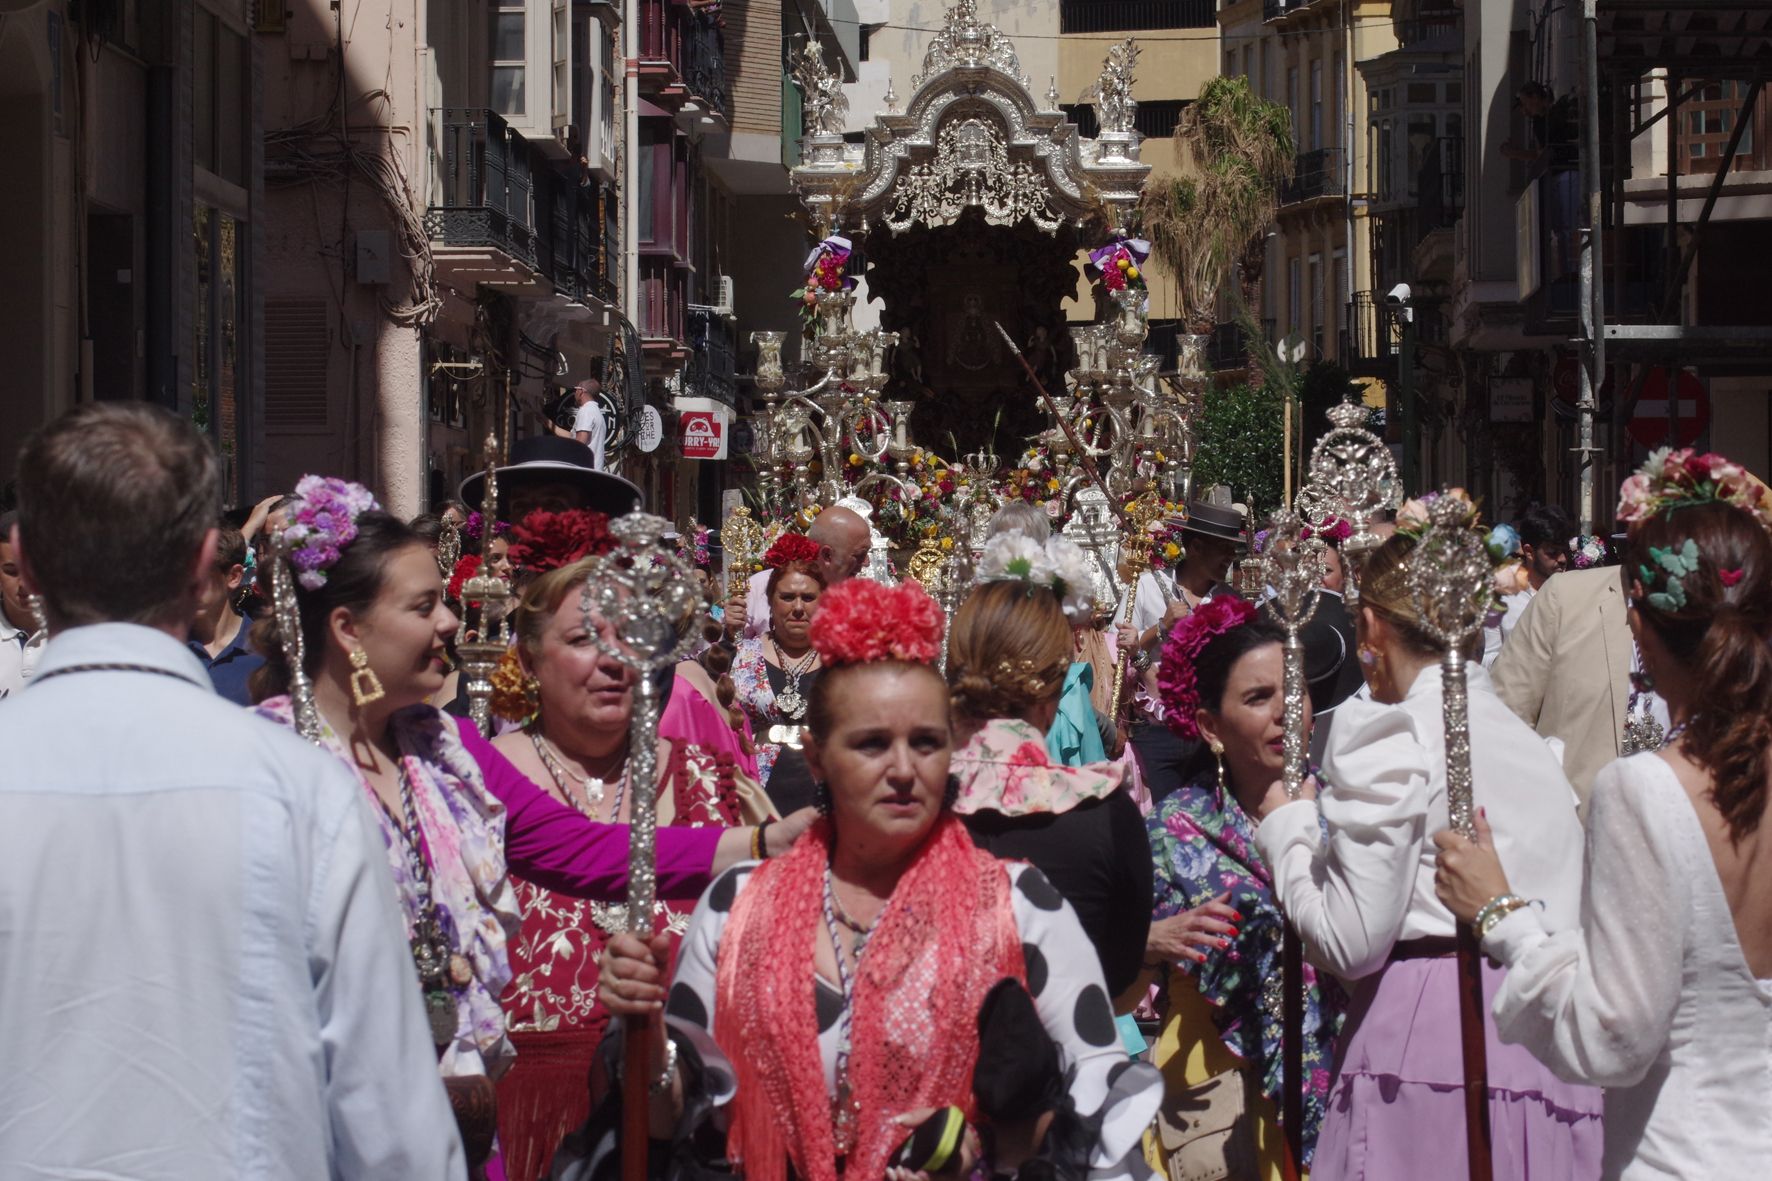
[(1204, 845)]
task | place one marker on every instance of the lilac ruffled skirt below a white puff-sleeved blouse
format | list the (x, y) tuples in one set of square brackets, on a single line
[(1397, 1104)]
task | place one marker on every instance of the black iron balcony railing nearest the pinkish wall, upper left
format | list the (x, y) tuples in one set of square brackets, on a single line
[(483, 185)]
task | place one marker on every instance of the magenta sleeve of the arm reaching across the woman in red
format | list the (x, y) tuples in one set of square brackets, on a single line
[(564, 850)]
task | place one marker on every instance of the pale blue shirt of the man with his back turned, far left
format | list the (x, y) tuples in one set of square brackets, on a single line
[(201, 966)]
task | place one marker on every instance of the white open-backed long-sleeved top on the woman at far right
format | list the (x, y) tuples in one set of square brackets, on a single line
[(1651, 997)]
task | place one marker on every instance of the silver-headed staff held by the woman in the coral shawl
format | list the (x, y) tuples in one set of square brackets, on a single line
[(641, 607)]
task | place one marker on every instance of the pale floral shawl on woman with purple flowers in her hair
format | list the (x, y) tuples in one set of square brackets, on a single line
[(463, 829)]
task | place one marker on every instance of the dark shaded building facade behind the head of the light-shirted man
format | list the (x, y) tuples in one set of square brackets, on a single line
[(132, 217)]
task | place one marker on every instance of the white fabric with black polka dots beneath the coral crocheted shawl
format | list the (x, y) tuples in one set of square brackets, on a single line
[(1064, 980)]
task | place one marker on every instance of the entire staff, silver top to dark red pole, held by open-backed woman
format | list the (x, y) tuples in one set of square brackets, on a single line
[(1450, 575)]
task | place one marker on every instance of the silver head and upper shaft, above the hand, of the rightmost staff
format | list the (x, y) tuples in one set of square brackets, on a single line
[(1449, 577)]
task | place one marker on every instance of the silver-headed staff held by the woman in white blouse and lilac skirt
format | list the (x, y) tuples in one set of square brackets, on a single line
[(1293, 572)]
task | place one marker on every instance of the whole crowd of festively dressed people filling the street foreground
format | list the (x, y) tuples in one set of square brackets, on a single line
[(1016, 893)]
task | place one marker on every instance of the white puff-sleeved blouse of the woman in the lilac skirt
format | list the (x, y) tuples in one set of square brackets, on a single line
[(1371, 884)]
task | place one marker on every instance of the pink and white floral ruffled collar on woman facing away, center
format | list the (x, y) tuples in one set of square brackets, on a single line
[(1007, 769)]
